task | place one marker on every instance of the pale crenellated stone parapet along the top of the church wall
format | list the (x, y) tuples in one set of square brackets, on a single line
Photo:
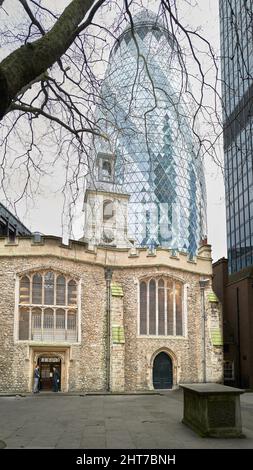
[(118, 258)]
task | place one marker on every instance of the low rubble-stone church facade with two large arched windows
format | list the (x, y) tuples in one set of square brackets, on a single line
[(115, 319)]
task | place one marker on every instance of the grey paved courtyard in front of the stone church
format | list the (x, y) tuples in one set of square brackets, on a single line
[(108, 421)]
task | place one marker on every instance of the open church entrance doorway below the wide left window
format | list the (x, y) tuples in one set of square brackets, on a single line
[(46, 365)]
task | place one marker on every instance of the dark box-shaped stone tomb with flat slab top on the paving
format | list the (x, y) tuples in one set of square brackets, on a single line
[(212, 410)]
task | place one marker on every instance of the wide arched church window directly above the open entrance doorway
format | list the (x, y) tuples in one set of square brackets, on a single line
[(40, 318)]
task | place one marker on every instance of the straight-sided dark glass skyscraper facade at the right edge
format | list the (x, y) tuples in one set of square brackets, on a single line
[(236, 22)]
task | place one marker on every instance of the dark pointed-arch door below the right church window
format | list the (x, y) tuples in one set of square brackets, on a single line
[(162, 371)]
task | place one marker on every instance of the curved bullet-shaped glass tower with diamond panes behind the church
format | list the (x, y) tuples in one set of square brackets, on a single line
[(145, 114)]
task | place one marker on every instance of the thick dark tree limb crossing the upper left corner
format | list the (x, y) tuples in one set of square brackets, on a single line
[(25, 64)]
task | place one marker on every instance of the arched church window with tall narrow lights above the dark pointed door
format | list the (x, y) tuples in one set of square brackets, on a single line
[(161, 307)]
